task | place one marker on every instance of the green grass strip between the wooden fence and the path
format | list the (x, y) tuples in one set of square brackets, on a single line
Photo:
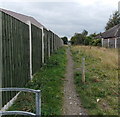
[(49, 80)]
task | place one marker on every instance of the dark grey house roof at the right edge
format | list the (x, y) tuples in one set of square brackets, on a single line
[(112, 33)]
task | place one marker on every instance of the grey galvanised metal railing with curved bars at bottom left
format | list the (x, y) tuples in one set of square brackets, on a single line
[(38, 102)]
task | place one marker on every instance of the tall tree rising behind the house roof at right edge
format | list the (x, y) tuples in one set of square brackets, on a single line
[(113, 20)]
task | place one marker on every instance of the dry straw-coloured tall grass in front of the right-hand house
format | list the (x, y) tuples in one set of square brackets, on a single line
[(108, 57)]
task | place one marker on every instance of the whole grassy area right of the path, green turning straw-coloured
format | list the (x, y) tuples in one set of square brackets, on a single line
[(99, 94)]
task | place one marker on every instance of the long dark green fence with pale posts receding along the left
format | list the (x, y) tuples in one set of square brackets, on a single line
[(15, 52)]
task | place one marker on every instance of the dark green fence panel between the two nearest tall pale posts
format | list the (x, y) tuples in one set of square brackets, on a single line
[(36, 48)]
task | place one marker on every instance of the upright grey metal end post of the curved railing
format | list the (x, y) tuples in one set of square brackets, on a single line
[(38, 103)]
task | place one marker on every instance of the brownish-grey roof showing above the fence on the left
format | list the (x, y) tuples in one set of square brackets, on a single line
[(23, 18)]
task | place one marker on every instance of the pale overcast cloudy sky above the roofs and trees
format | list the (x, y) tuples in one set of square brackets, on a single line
[(66, 17)]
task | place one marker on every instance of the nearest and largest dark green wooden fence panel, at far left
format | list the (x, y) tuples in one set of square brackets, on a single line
[(15, 54)]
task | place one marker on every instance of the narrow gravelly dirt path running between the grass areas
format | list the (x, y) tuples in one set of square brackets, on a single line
[(72, 105)]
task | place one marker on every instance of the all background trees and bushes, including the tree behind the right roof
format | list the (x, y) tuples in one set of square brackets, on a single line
[(85, 39)]
